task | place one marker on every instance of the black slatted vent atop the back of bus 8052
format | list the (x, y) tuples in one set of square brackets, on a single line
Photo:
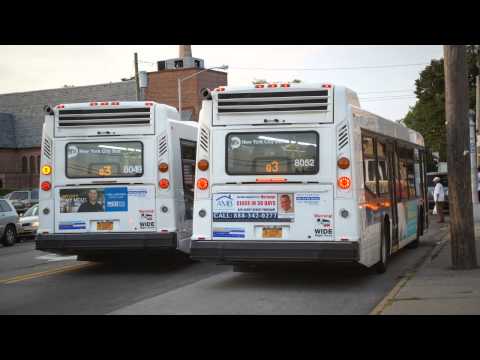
[(276, 101)]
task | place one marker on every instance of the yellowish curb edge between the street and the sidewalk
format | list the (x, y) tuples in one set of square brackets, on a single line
[(429, 256)]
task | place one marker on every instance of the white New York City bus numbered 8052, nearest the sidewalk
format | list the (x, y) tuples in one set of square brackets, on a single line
[(300, 173)]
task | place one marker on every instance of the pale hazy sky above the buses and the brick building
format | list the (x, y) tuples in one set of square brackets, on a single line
[(382, 75)]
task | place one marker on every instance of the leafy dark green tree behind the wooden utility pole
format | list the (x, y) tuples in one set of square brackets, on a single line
[(427, 116)]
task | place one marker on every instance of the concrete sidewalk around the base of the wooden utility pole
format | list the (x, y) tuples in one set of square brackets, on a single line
[(435, 289)]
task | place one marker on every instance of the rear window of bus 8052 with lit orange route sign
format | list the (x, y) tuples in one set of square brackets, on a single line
[(265, 153)]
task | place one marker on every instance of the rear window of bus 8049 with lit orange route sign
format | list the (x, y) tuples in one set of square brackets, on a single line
[(104, 159)]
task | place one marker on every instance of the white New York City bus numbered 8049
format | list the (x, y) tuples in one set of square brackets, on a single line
[(116, 177)]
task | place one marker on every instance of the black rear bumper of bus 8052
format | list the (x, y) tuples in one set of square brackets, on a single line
[(230, 252)]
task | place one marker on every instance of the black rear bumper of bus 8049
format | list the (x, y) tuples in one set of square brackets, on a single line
[(105, 242)]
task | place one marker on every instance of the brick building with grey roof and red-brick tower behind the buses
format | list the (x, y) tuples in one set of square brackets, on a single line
[(22, 114)]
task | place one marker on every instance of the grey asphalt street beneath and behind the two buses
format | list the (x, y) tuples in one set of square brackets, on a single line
[(35, 282)]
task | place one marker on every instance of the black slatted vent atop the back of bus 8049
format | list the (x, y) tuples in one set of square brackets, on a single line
[(104, 117)]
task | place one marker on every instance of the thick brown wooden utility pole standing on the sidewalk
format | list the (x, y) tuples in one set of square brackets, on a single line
[(462, 236)]
